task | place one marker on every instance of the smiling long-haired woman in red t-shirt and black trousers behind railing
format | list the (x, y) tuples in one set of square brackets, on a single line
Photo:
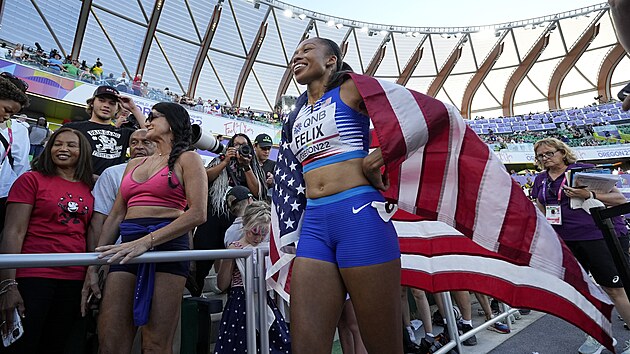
[(48, 211)]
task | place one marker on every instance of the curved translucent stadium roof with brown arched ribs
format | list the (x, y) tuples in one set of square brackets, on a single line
[(238, 51)]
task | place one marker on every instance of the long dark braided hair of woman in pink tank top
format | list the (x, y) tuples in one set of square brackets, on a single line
[(179, 120)]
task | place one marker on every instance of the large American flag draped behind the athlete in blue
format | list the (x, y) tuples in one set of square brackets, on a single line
[(462, 223)]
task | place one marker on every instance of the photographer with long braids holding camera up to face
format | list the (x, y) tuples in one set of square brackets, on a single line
[(238, 166)]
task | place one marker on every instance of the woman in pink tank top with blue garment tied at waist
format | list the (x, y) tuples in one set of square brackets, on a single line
[(149, 295)]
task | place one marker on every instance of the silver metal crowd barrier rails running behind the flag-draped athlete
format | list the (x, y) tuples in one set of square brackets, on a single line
[(254, 279)]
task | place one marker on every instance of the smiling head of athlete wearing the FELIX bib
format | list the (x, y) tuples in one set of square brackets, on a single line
[(312, 61)]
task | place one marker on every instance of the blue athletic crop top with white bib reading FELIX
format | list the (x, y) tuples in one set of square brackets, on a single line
[(329, 132)]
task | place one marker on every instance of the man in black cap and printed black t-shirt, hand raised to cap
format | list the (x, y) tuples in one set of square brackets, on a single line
[(109, 143)]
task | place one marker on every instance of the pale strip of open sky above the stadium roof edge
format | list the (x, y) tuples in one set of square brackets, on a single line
[(440, 13)]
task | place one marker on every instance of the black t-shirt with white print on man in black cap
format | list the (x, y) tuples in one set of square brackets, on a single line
[(109, 144)]
